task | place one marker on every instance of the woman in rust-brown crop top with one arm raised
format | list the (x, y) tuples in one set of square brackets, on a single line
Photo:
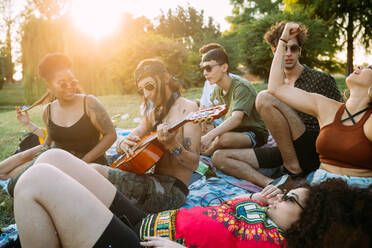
[(344, 143)]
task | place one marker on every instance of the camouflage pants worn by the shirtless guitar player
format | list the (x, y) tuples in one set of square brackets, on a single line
[(150, 192)]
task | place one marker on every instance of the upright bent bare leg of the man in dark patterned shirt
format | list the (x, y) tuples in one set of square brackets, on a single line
[(285, 126)]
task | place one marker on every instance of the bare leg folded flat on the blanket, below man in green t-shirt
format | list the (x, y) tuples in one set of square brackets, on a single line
[(240, 163)]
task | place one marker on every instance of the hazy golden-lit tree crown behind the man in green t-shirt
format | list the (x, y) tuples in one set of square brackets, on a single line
[(188, 26)]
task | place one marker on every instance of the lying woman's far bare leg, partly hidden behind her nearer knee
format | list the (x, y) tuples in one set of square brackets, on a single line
[(81, 172)]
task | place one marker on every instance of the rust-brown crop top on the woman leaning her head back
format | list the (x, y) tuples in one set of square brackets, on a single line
[(345, 146)]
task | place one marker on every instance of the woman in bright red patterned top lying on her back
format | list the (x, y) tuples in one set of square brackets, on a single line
[(53, 209)]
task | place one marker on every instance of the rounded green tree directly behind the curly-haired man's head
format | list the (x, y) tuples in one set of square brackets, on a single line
[(318, 51)]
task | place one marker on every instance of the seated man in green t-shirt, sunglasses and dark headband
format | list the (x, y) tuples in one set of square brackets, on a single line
[(242, 126)]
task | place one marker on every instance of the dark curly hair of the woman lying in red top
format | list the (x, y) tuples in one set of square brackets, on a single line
[(335, 215)]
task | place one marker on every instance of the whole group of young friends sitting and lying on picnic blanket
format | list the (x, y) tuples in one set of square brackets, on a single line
[(66, 196)]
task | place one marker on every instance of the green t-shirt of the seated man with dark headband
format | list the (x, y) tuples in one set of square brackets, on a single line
[(241, 97)]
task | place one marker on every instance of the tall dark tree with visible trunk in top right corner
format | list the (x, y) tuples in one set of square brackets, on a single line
[(347, 18)]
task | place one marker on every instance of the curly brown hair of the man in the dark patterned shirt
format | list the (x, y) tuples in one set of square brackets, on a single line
[(273, 35)]
